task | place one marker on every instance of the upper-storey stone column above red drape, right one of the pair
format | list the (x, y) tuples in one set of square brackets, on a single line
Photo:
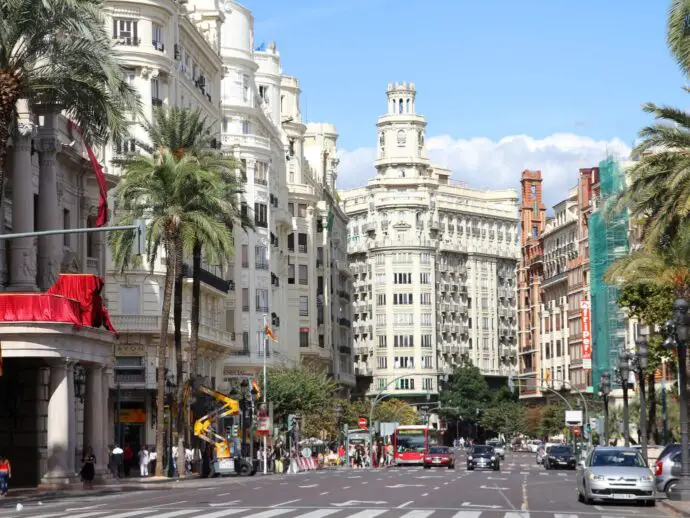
[(49, 247)]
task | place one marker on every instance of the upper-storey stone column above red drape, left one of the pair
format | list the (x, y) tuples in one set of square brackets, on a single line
[(23, 267)]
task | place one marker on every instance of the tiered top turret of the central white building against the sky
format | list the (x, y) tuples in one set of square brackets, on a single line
[(401, 152)]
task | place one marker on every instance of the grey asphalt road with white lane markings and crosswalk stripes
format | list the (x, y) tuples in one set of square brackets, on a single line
[(520, 490)]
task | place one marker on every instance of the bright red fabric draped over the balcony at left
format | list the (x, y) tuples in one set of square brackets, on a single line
[(74, 298)]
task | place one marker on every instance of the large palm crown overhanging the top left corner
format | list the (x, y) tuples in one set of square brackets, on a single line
[(58, 53)]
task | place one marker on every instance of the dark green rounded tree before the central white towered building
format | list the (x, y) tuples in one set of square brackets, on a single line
[(466, 392)]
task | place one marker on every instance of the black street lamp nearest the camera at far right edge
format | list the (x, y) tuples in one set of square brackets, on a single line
[(678, 330)]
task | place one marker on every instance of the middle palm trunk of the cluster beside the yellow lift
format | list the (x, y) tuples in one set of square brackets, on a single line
[(177, 317)]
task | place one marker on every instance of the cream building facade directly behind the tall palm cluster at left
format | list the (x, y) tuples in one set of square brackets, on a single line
[(171, 52)]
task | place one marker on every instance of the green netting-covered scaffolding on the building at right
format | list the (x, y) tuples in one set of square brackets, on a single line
[(608, 241)]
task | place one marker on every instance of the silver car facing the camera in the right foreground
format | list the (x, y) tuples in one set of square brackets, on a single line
[(615, 474)]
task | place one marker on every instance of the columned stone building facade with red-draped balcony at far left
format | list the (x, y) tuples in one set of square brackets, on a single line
[(56, 371)]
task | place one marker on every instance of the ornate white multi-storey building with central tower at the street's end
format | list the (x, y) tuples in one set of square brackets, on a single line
[(433, 262)]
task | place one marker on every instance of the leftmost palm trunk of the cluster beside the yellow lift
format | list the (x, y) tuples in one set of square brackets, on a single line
[(162, 353)]
